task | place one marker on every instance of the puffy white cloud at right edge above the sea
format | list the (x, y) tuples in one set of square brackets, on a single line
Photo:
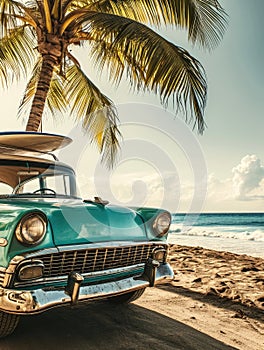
[(248, 179)]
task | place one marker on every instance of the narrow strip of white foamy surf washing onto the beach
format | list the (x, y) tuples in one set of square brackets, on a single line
[(216, 232)]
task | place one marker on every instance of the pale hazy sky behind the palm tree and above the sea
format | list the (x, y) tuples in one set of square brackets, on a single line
[(163, 162)]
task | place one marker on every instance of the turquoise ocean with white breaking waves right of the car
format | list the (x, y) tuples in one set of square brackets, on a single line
[(241, 233)]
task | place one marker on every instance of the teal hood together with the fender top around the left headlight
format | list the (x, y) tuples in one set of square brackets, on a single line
[(74, 221)]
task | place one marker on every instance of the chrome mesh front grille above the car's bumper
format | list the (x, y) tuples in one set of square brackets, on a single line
[(92, 260)]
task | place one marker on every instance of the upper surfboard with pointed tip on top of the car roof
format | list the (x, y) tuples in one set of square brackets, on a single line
[(25, 142)]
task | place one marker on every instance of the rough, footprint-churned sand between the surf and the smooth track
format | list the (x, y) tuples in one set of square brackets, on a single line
[(227, 275)]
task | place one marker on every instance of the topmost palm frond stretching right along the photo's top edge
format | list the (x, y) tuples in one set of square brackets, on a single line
[(205, 20)]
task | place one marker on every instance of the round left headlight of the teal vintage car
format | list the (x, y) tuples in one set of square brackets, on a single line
[(31, 229)]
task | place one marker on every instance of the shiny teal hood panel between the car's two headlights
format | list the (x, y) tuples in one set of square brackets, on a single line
[(78, 222)]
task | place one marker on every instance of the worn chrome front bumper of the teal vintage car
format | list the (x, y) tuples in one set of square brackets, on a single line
[(38, 300)]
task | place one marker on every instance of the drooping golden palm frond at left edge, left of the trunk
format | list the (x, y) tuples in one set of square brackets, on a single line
[(17, 54)]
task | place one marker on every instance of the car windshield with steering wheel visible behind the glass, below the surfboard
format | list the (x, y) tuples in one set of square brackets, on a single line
[(20, 178)]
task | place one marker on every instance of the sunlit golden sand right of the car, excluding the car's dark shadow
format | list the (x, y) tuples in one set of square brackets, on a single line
[(219, 294)]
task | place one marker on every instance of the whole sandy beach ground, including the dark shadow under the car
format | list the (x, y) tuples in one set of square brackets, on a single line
[(216, 301)]
